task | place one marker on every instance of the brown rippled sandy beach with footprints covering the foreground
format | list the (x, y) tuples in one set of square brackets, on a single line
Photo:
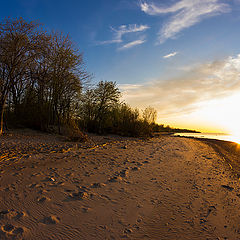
[(125, 188)]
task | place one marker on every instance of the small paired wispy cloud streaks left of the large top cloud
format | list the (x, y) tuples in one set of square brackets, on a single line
[(123, 30)]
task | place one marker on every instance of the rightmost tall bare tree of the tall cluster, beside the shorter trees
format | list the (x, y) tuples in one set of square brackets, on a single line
[(66, 77)]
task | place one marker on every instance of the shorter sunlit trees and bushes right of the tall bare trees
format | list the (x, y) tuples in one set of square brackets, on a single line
[(100, 110)]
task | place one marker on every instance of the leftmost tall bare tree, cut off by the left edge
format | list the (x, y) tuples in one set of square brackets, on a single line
[(18, 42)]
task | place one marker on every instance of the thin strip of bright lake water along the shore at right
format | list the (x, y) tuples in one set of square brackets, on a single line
[(218, 136)]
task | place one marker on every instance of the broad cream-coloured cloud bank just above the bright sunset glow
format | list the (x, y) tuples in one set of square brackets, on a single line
[(187, 92)]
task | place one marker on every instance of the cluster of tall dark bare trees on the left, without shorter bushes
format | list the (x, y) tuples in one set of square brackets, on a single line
[(41, 75)]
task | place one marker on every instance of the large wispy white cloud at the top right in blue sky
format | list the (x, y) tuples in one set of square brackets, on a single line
[(185, 13)]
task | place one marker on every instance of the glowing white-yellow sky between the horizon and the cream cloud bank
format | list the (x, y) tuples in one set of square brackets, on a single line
[(215, 116)]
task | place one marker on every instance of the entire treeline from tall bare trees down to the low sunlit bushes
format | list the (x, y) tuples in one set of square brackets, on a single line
[(42, 86)]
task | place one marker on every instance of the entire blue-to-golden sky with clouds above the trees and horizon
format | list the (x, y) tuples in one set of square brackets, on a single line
[(181, 57)]
